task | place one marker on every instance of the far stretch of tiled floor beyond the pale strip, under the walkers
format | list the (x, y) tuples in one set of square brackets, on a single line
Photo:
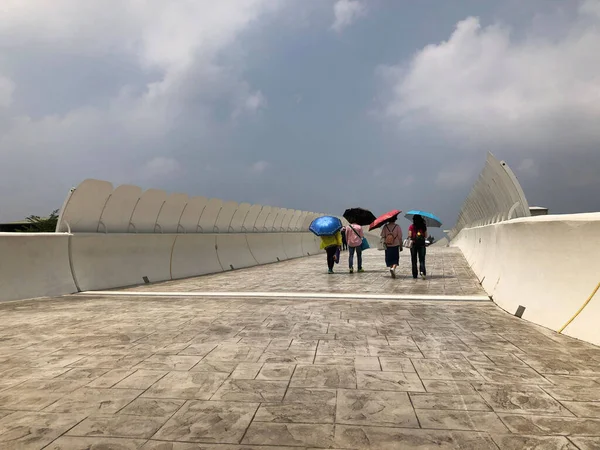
[(448, 274)]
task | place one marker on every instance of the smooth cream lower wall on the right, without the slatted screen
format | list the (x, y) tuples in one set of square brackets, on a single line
[(548, 264)]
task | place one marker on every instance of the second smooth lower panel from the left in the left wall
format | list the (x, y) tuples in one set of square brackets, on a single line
[(102, 261)]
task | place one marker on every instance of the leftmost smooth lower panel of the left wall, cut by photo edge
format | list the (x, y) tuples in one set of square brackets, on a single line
[(34, 265)]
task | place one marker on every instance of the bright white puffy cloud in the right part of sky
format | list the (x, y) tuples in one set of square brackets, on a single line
[(484, 86)]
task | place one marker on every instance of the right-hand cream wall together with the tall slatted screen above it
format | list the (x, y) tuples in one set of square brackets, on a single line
[(544, 269)]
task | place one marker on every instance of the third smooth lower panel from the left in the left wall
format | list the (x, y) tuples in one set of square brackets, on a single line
[(193, 255)]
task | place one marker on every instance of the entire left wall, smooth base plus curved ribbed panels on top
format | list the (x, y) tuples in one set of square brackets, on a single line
[(126, 236)]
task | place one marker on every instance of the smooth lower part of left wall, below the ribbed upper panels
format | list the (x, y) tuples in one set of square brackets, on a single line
[(51, 264)]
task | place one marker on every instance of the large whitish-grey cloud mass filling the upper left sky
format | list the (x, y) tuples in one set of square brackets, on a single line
[(188, 71)]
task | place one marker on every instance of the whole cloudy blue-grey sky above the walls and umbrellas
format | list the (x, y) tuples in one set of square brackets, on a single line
[(307, 104)]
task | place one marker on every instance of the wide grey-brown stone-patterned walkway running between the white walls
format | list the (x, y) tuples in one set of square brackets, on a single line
[(127, 372)]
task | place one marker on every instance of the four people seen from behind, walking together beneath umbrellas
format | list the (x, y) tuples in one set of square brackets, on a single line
[(351, 237)]
